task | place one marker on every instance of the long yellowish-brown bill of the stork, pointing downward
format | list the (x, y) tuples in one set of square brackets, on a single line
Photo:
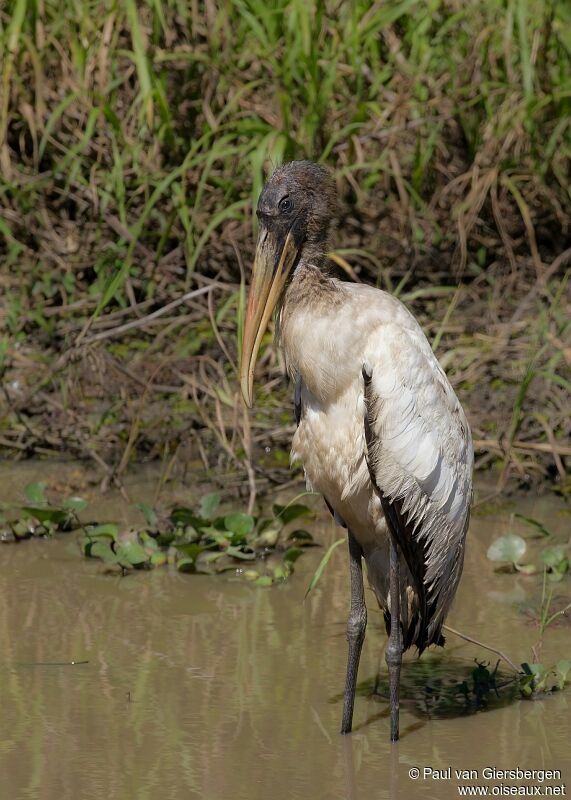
[(272, 264)]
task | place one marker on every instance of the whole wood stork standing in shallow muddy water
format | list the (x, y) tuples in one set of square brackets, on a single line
[(381, 434)]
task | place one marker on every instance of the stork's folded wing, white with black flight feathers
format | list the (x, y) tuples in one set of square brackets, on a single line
[(420, 457)]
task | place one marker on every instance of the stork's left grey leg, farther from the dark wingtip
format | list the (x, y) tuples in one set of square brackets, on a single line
[(355, 630)]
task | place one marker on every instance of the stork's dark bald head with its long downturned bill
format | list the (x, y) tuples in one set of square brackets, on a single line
[(295, 211)]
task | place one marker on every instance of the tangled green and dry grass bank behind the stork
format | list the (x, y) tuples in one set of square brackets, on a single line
[(134, 140)]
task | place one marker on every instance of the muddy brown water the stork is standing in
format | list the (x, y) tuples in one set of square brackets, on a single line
[(201, 687)]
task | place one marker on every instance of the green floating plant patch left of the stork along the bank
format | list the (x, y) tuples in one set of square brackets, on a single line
[(204, 540)]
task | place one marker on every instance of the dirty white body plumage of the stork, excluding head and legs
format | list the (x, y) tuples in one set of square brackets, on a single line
[(421, 449)]
